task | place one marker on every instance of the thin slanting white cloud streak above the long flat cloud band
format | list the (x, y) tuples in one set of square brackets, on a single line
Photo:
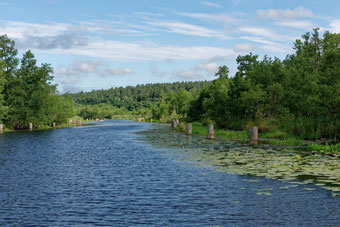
[(187, 29)]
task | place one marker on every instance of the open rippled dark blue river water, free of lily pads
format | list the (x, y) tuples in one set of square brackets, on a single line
[(105, 175)]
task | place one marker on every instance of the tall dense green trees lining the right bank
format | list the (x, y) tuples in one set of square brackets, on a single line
[(301, 94)]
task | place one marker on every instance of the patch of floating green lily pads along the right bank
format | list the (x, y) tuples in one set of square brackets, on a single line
[(235, 156)]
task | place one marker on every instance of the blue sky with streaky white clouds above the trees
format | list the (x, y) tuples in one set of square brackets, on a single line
[(105, 43)]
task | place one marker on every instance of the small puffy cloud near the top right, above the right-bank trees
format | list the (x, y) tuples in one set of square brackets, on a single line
[(281, 14)]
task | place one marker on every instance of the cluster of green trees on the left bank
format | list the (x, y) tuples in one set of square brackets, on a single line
[(26, 93)]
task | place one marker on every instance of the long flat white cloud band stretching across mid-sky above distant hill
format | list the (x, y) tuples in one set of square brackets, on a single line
[(129, 51)]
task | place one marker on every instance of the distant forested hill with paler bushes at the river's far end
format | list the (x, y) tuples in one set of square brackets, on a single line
[(150, 99)]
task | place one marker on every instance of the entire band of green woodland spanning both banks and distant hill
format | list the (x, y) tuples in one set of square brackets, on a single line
[(299, 94)]
